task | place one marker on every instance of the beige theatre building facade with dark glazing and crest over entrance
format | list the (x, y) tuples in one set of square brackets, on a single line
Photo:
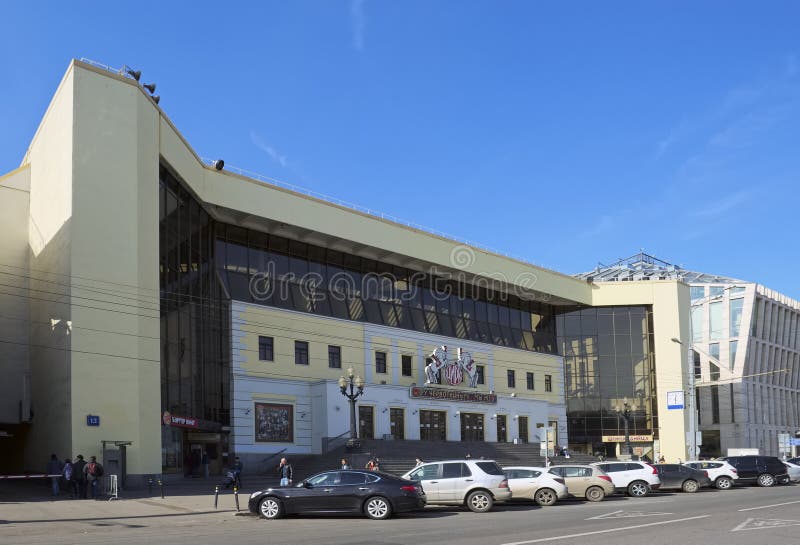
[(148, 284)]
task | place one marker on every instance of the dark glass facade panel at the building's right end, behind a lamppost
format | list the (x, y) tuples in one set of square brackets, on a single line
[(608, 356)]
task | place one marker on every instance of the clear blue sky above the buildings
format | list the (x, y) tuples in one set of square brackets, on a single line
[(567, 133)]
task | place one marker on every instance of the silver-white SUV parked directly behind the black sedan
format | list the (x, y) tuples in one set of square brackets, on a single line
[(476, 484)]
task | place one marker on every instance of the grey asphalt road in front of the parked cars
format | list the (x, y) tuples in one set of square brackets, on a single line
[(744, 515)]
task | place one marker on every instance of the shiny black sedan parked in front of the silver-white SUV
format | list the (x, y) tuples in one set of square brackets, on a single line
[(372, 493)]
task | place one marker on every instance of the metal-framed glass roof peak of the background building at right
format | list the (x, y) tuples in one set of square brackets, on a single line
[(644, 266)]
